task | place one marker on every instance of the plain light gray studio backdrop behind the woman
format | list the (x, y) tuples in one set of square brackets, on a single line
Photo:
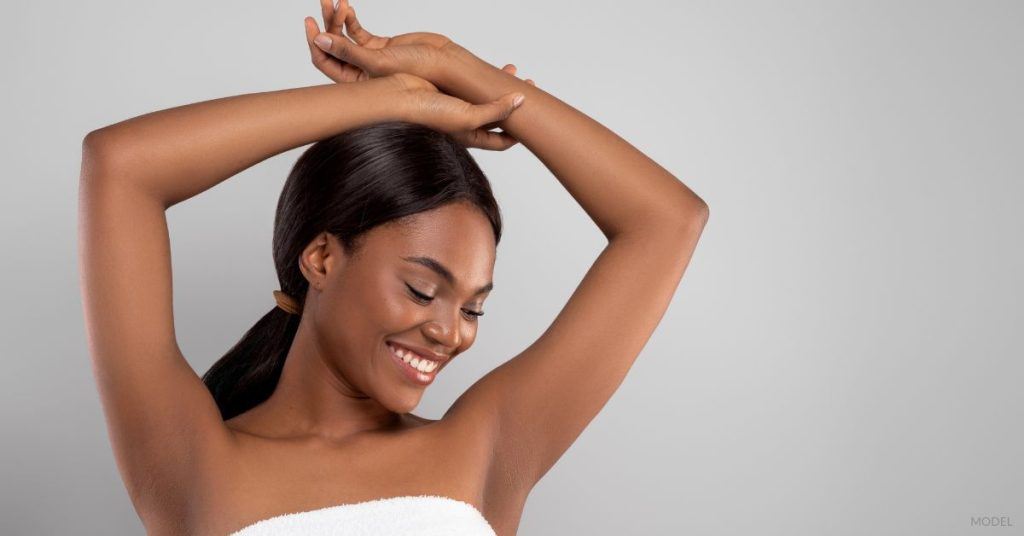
[(838, 359)]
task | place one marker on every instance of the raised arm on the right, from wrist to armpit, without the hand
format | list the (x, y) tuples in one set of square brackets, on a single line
[(546, 396)]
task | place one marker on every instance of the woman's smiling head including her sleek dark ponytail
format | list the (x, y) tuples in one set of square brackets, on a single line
[(362, 219)]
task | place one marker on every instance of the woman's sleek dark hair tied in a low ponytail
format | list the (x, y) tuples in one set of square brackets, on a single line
[(346, 185)]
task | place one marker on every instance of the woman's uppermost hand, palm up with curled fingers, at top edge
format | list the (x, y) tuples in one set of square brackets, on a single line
[(418, 53)]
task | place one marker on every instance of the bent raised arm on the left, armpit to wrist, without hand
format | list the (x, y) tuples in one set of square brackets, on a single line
[(162, 422)]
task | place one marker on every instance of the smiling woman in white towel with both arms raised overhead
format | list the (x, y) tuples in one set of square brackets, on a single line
[(385, 243)]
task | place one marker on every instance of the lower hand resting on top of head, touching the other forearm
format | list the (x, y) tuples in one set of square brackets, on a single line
[(466, 123)]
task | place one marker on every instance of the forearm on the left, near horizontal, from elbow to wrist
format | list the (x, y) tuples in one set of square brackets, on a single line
[(179, 153)]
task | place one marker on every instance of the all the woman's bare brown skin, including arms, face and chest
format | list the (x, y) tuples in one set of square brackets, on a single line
[(337, 430)]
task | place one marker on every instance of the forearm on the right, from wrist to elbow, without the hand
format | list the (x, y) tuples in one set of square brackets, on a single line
[(619, 187)]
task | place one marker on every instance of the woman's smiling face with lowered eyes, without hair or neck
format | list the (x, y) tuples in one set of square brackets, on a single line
[(396, 291)]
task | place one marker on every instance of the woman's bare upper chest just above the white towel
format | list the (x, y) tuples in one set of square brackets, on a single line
[(265, 479)]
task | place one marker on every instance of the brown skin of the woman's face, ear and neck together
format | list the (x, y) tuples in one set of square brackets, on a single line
[(338, 379)]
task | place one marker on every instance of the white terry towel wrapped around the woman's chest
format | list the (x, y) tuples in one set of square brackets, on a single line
[(405, 516)]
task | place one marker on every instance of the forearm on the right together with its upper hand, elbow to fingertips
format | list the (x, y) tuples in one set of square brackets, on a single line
[(617, 185)]
